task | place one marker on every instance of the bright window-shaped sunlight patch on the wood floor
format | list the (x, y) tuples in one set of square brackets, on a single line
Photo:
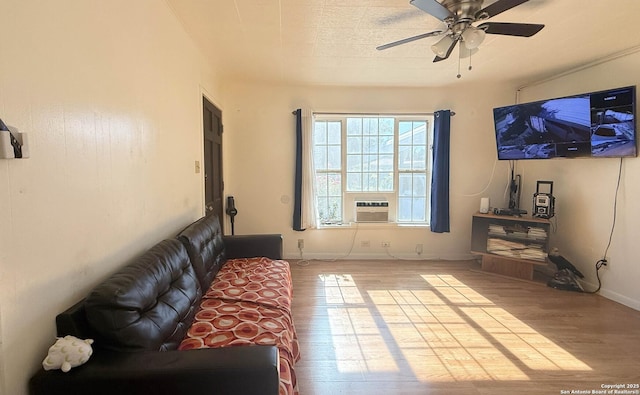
[(447, 333)]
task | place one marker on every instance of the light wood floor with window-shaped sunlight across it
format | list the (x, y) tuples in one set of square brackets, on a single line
[(407, 327)]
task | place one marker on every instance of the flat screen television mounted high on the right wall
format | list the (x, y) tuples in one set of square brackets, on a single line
[(596, 124)]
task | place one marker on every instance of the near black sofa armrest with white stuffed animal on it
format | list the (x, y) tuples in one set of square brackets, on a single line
[(239, 370)]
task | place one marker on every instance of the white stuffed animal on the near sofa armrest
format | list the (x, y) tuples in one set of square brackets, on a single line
[(68, 352)]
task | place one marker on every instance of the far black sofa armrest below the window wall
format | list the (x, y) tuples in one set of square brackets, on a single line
[(249, 246)]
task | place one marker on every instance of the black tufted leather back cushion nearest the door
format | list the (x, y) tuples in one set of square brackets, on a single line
[(203, 241)]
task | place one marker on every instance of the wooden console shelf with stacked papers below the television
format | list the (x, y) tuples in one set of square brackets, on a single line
[(510, 245)]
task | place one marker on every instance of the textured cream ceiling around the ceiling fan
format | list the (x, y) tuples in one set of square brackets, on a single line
[(333, 42)]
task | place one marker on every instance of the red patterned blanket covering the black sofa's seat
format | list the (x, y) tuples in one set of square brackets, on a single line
[(248, 303)]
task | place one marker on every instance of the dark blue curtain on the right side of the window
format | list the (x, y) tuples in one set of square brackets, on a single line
[(440, 178)]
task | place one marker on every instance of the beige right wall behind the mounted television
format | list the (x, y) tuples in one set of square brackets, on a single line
[(585, 190)]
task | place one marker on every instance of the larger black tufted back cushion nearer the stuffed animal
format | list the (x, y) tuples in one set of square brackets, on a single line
[(149, 304)]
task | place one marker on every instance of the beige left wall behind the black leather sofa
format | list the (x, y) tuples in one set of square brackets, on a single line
[(110, 94)]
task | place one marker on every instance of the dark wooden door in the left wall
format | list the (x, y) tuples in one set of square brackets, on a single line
[(213, 183)]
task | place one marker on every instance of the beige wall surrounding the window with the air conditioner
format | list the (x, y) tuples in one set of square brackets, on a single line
[(260, 139)]
